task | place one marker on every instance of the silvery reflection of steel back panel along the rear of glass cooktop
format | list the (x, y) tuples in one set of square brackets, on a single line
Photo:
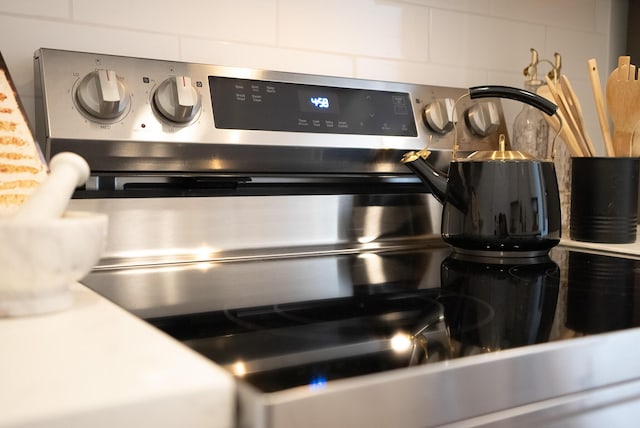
[(188, 288)]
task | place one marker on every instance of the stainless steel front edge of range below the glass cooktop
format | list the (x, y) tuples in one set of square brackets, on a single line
[(529, 380)]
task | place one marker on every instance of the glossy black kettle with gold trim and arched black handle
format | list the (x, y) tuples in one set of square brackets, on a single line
[(496, 203)]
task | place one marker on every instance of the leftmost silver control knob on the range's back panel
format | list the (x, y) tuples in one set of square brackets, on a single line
[(102, 95)]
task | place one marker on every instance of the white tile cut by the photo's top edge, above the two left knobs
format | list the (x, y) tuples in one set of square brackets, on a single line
[(239, 20)]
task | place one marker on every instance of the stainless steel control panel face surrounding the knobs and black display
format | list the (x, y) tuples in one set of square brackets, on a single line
[(140, 141)]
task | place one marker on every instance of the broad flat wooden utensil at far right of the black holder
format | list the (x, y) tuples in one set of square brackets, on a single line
[(623, 103)]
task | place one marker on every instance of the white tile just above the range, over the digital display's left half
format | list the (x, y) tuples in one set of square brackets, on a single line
[(265, 57)]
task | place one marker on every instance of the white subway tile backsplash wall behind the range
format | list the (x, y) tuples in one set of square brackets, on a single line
[(441, 42)]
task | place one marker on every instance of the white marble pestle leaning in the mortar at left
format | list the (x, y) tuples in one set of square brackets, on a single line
[(66, 172)]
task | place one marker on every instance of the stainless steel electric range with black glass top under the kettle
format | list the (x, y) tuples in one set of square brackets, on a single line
[(264, 220)]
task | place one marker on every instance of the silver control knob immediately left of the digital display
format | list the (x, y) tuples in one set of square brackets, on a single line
[(177, 99)]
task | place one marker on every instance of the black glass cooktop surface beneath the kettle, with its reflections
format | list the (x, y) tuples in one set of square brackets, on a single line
[(282, 323)]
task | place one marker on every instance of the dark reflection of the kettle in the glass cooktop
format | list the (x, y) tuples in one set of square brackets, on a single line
[(498, 306)]
